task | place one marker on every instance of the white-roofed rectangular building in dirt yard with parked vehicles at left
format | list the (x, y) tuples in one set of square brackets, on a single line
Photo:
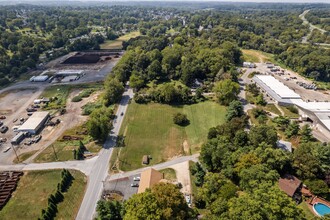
[(34, 124)]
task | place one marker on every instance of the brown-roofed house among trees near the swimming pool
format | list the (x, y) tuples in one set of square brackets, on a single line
[(291, 185)]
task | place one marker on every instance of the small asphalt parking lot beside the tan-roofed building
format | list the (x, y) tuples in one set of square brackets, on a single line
[(123, 185)]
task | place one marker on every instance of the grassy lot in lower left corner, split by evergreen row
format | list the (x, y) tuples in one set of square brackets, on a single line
[(32, 193)]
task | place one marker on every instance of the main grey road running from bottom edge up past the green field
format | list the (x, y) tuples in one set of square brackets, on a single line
[(101, 166)]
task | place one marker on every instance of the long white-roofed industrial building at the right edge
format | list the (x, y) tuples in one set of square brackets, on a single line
[(283, 95)]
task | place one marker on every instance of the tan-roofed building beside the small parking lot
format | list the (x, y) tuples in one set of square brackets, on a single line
[(149, 178)]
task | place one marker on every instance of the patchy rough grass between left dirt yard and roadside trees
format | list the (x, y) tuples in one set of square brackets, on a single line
[(64, 148)]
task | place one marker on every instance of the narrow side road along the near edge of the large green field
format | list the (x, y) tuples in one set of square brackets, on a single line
[(159, 166)]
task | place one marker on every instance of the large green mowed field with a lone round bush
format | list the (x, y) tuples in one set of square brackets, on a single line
[(149, 130)]
